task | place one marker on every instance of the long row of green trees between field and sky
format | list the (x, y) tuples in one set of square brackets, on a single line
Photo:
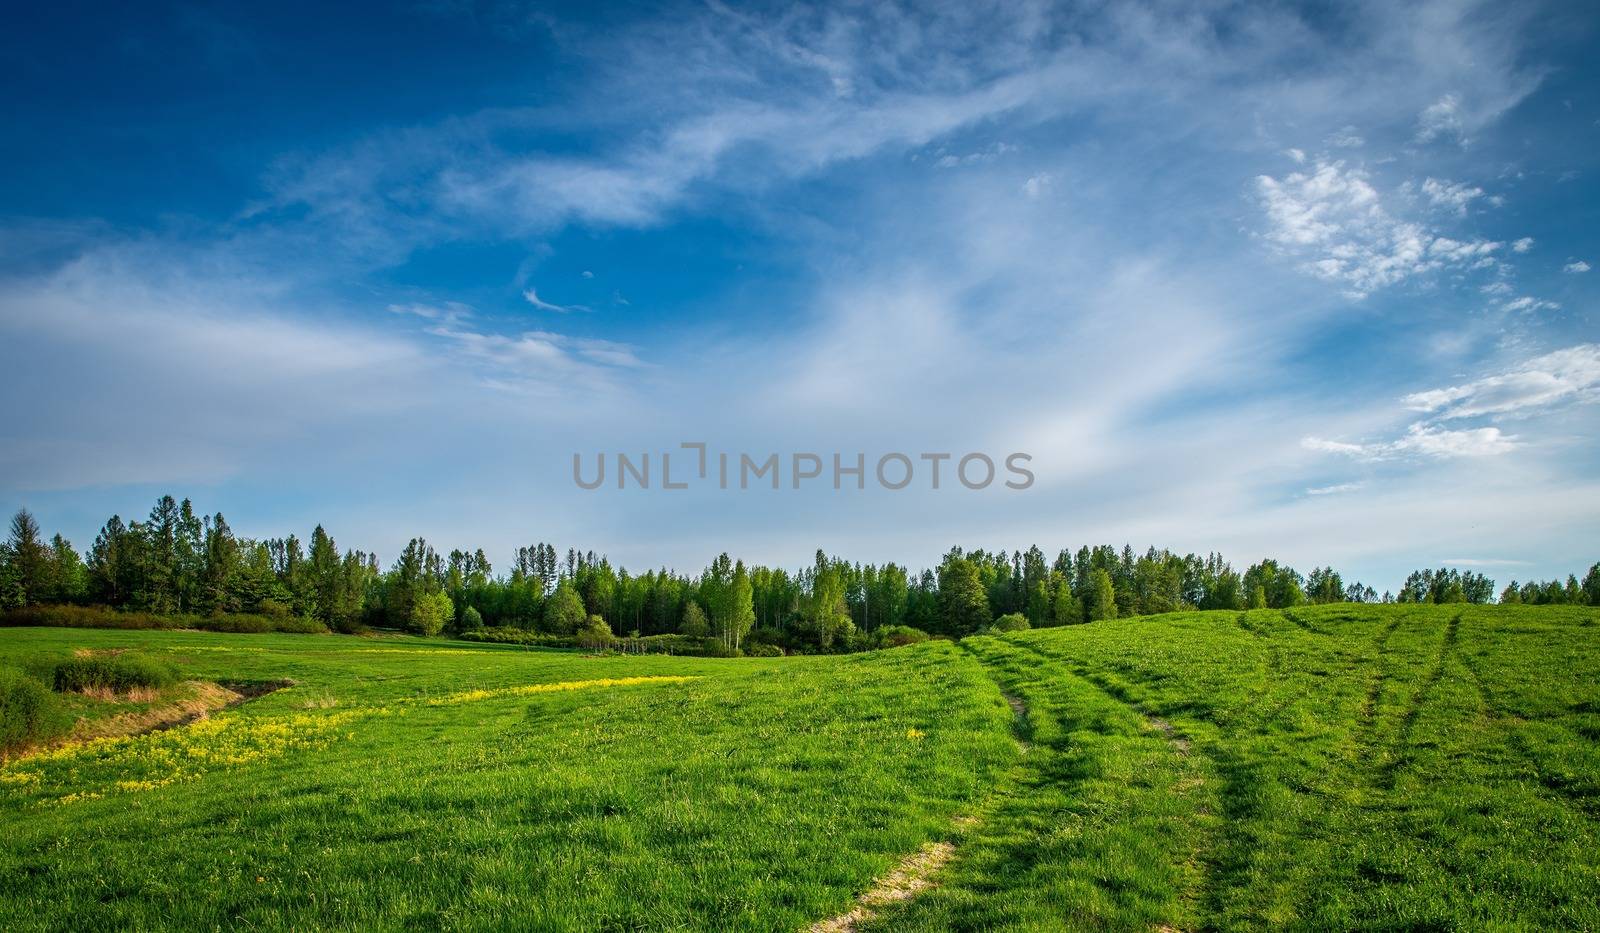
[(178, 563)]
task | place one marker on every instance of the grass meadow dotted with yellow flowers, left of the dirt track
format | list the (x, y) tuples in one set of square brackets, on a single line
[(756, 795)]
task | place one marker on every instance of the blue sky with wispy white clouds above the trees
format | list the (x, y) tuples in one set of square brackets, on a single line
[(1278, 281)]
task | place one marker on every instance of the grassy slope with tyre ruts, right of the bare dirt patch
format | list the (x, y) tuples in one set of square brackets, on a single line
[(1322, 769)]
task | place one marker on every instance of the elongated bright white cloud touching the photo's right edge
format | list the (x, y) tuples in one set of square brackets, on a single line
[(1570, 375)]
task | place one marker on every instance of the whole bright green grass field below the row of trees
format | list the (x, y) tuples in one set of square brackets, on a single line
[(1335, 767)]
